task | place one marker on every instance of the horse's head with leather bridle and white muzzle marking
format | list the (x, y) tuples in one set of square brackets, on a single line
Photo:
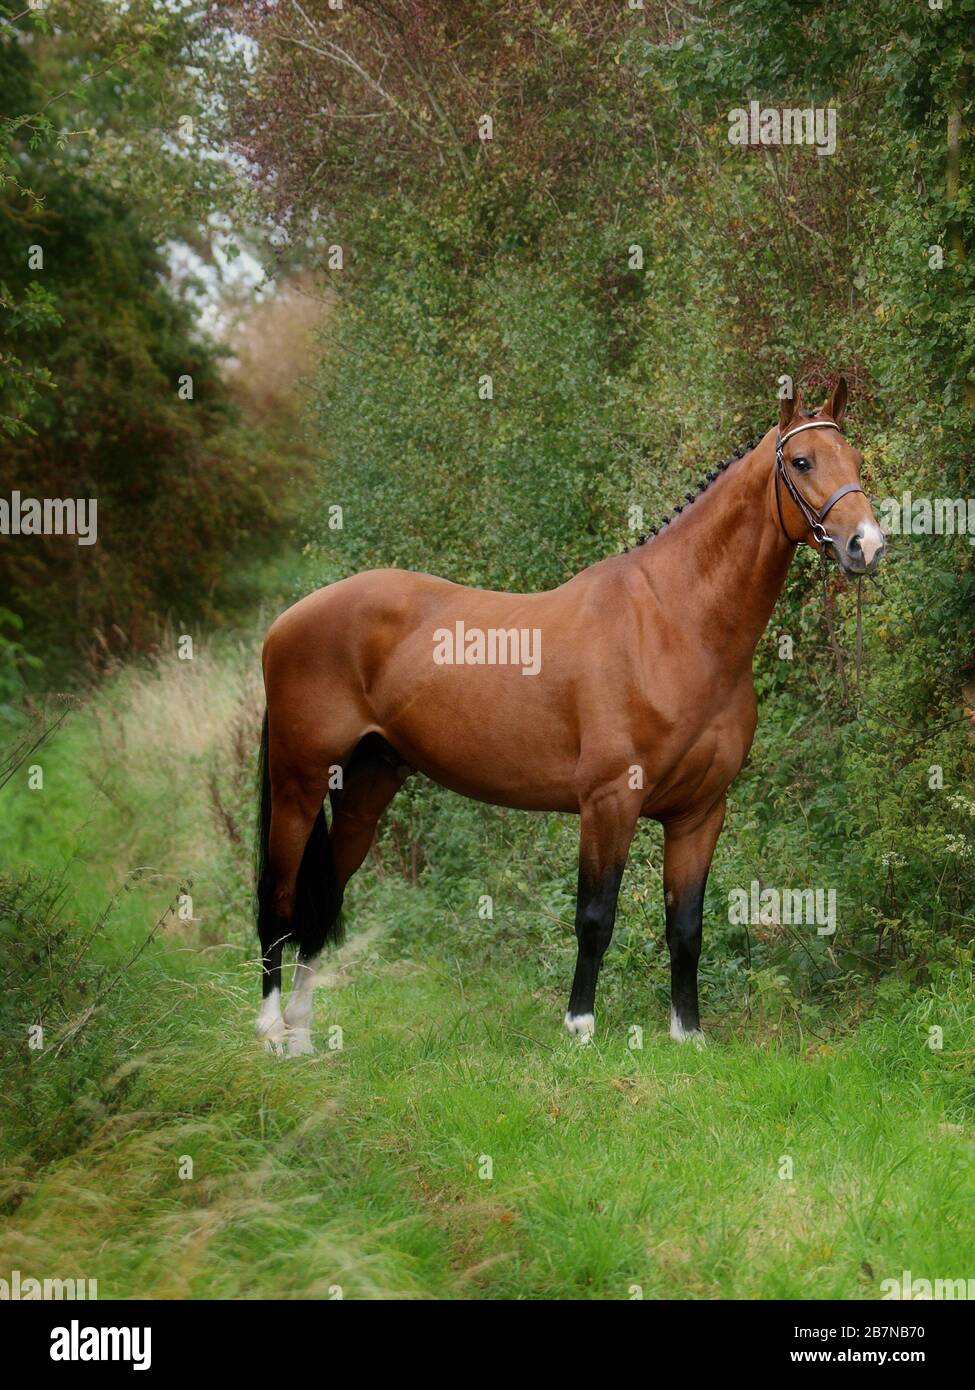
[(819, 497)]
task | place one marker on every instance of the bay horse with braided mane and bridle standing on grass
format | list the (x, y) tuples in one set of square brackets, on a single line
[(625, 693)]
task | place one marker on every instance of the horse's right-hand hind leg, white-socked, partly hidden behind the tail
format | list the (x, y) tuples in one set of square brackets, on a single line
[(371, 783)]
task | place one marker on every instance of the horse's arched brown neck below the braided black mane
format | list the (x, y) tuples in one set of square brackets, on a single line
[(721, 564)]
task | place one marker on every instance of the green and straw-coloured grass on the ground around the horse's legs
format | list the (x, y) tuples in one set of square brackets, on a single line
[(447, 1140)]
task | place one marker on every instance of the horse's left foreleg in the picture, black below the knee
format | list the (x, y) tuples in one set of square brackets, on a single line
[(609, 821)]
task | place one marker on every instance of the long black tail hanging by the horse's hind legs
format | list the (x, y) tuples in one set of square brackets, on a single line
[(318, 918)]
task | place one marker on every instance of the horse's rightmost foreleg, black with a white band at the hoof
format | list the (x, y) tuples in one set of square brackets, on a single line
[(689, 846)]
